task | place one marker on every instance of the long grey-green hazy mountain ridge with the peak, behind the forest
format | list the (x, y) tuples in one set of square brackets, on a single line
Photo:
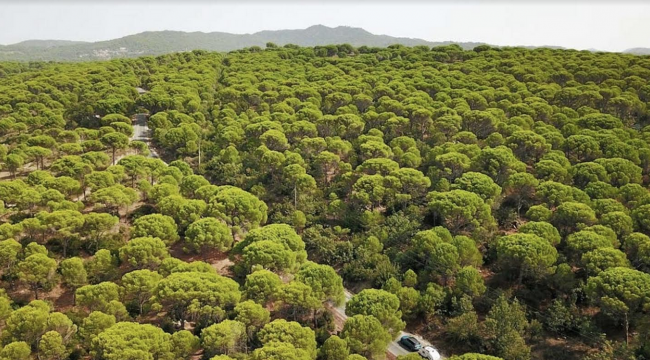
[(162, 42)]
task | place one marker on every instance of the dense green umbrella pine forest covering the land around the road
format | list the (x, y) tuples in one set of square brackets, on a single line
[(493, 201)]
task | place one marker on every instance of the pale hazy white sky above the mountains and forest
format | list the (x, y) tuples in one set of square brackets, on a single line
[(580, 24)]
